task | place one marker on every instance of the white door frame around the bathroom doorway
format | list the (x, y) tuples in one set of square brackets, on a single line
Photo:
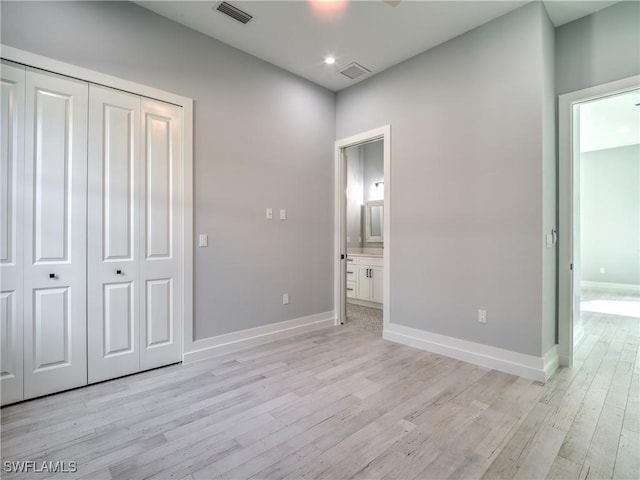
[(382, 133)]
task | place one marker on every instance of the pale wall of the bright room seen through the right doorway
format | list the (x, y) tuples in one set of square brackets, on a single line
[(610, 215)]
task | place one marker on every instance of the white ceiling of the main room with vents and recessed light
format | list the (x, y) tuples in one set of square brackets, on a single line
[(377, 34)]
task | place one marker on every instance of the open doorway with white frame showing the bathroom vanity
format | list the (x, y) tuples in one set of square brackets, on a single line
[(362, 230)]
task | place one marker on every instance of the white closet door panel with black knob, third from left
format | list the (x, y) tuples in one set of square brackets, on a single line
[(114, 219)]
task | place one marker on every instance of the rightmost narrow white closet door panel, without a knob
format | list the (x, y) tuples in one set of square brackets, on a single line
[(160, 242)]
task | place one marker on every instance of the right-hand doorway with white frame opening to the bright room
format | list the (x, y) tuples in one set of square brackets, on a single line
[(599, 262)]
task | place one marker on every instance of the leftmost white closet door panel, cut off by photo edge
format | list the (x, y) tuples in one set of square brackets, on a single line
[(12, 85)]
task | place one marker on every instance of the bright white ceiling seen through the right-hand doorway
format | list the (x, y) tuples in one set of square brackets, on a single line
[(610, 122)]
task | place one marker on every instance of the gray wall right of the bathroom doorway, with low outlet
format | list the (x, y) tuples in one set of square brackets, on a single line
[(467, 180)]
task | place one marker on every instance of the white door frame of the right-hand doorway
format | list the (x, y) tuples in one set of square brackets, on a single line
[(568, 201)]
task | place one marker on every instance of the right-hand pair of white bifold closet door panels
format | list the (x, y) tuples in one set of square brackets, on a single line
[(134, 271)]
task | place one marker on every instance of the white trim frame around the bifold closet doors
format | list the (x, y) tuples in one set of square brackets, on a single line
[(44, 63)]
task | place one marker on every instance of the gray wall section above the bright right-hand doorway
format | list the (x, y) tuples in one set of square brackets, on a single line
[(598, 48)]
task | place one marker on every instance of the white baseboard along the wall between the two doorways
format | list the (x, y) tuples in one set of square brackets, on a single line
[(528, 366)]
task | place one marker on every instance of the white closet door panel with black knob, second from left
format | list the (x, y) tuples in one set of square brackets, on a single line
[(55, 191)]
